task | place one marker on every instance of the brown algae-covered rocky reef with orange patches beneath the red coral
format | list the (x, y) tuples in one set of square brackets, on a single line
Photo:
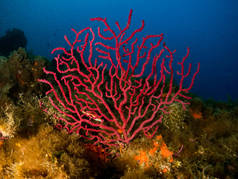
[(201, 142)]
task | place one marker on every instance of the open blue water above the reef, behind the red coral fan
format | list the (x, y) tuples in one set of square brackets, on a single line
[(208, 27)]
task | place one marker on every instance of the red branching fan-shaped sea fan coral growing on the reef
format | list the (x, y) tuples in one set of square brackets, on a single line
[(111, 85)]
